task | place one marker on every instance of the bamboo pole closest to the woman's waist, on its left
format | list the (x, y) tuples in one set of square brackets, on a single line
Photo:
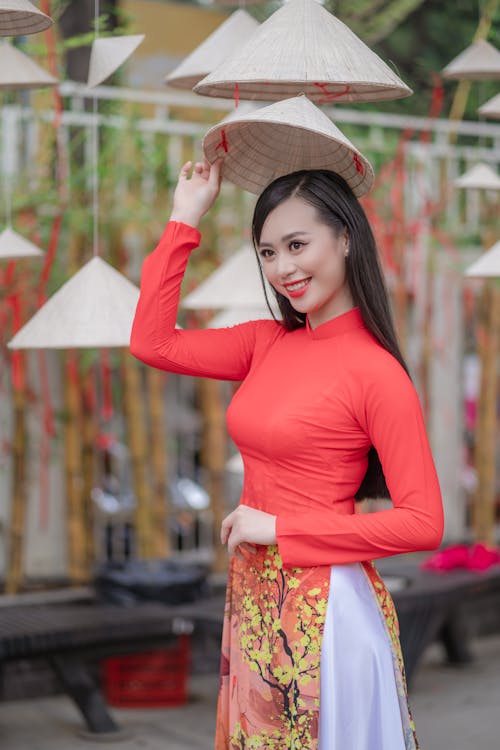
[(213, 456)]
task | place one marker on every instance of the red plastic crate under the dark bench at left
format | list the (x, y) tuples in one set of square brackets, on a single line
[(150, 679)]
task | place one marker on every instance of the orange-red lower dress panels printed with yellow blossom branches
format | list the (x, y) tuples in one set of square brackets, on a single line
[(271, 651)]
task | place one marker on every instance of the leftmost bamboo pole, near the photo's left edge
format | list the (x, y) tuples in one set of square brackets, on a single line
[(15, 562)]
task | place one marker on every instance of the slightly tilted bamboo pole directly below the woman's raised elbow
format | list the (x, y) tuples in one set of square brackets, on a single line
[(139, 458)]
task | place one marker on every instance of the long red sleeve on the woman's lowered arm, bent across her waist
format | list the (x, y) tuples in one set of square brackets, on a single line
[(391, 415)]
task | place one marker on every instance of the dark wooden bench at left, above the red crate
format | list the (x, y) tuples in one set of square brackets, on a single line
[(68, 636)]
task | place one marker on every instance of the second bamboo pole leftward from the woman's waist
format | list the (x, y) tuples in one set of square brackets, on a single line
[(161, 511)]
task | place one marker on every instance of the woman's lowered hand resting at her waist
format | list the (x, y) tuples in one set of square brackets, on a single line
[(246, 526)]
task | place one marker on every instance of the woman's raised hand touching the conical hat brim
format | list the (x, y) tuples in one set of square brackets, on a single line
[(195, 194)]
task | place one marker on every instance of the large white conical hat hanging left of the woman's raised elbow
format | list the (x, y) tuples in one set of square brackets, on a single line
[(95, 308)]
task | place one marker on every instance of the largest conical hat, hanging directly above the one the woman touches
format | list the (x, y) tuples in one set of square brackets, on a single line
[(302, 48)]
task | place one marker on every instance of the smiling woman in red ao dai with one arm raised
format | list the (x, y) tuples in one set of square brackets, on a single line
[(324, 406)]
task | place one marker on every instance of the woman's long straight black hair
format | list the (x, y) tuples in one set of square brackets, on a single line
[(337, 207)]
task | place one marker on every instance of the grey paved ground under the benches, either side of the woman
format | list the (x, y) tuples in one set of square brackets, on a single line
[(455, 709)]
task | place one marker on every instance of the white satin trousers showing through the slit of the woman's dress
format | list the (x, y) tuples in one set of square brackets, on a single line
[(359, 706)]
